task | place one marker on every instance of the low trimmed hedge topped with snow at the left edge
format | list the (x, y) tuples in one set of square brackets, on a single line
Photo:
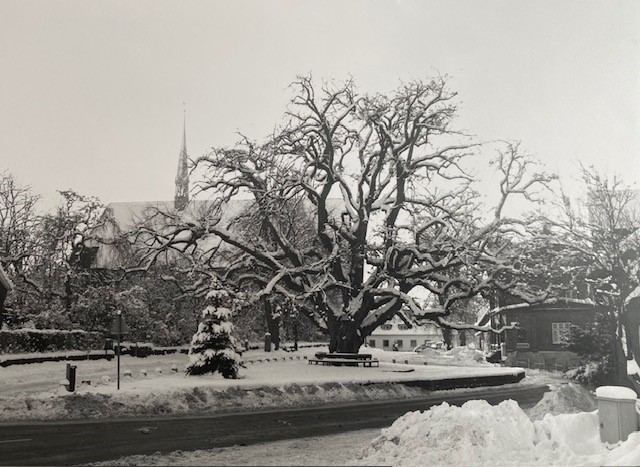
[(49, 340)]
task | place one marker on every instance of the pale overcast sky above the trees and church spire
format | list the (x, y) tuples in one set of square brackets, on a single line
[(92, 92)]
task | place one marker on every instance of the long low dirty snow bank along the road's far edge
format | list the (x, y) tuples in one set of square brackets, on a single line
[(199, 400)]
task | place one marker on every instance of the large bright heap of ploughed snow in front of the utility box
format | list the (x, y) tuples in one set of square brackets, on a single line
[(480, 434)]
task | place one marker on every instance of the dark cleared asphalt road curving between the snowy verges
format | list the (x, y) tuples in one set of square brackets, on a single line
[(64, 443)]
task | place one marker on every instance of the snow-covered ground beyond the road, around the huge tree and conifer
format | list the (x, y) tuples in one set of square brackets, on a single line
[(275, 379)]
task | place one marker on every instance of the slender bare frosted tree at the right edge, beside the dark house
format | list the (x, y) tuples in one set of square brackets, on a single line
[(600, 246)]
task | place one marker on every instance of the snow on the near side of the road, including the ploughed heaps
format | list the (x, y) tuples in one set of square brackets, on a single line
[(474, 434)]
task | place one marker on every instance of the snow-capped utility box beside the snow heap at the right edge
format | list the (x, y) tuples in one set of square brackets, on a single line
[(616, 413)]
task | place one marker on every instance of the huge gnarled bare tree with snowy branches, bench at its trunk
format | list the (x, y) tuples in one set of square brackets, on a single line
[(388, 209)]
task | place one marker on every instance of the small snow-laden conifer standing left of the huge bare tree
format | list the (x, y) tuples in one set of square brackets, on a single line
[(212, 346)]
